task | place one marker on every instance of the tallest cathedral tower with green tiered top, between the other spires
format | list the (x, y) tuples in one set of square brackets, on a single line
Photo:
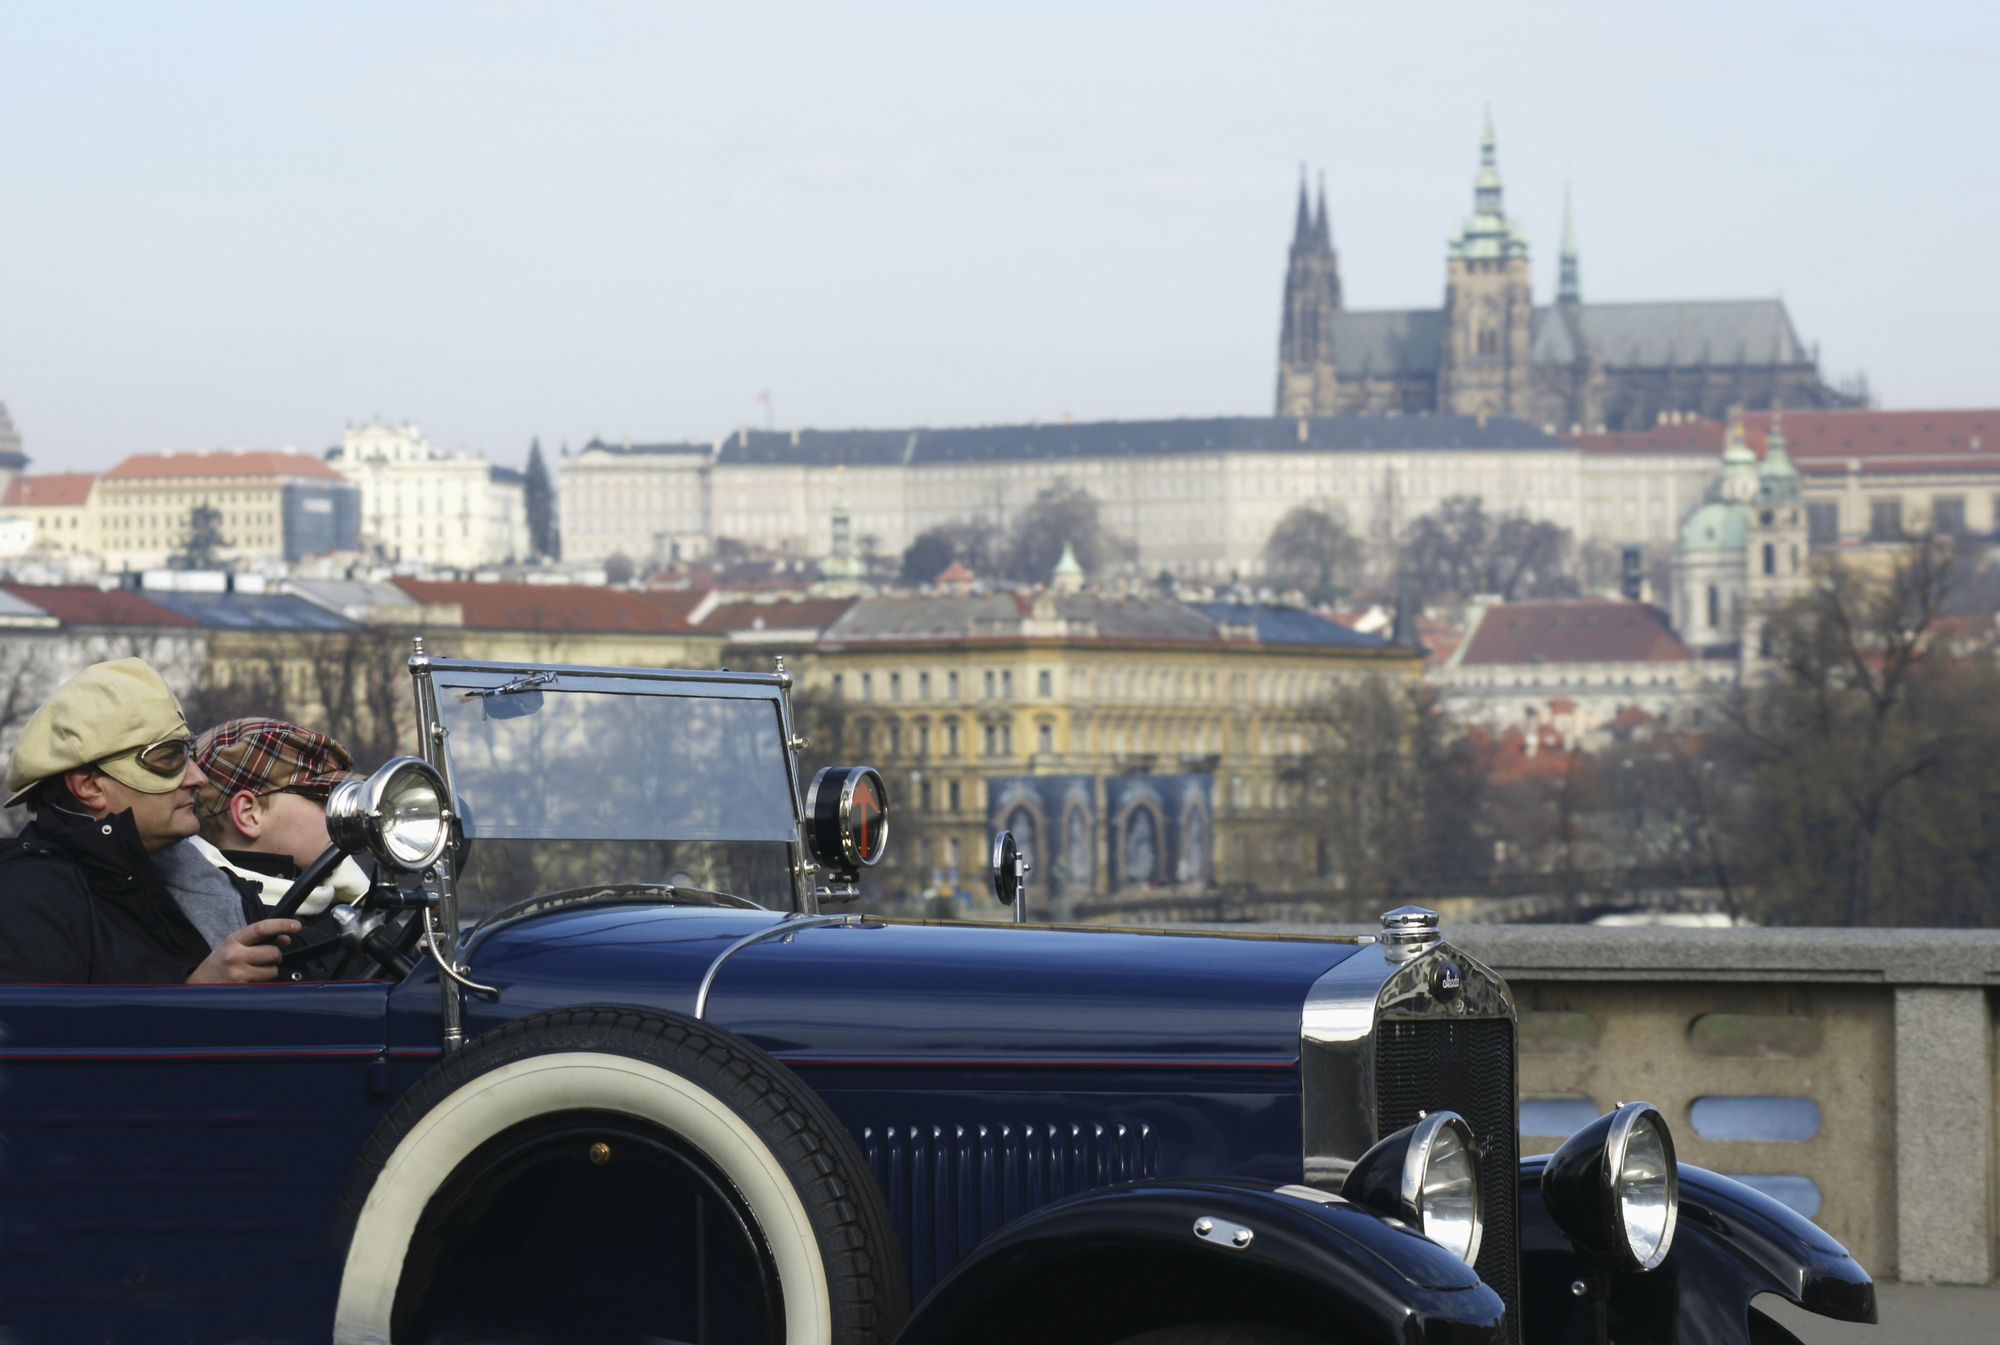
[(1485, 365)]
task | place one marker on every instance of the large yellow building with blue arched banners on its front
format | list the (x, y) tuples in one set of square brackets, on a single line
[(1129, 744)]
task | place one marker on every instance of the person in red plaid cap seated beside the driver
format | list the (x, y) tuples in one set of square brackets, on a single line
[(263, 808)]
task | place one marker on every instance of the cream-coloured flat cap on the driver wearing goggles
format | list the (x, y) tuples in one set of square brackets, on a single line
[(97, 718)]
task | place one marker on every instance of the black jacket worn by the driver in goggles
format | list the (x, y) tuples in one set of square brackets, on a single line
[(83, 904)]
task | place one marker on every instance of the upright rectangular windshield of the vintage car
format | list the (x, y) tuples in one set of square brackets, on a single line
[(597, 782)]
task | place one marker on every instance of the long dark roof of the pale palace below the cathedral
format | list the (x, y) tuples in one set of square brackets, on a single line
[(1129, 439)]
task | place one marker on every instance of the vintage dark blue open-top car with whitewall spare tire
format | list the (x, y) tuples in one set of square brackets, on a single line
[(601, 1066)]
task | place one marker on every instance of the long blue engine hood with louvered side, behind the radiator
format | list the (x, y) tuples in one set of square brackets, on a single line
[(983, 1070)]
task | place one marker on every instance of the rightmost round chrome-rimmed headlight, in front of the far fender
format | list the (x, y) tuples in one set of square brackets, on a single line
[(1615, 1188)]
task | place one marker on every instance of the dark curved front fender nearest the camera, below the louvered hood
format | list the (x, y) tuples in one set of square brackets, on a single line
[(1129, 1258)]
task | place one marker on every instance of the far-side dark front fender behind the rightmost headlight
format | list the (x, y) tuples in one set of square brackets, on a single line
[(1731, 1246)]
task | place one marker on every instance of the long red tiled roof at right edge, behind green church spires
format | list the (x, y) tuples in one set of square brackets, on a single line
[(1885, 441)]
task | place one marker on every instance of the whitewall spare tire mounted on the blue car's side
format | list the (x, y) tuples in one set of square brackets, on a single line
[(615, 1174)]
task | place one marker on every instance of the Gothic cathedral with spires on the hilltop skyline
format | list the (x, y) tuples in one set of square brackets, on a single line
[(1569, 367)]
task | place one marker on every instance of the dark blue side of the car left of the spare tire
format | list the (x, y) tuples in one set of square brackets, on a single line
[(173, 1156)]
